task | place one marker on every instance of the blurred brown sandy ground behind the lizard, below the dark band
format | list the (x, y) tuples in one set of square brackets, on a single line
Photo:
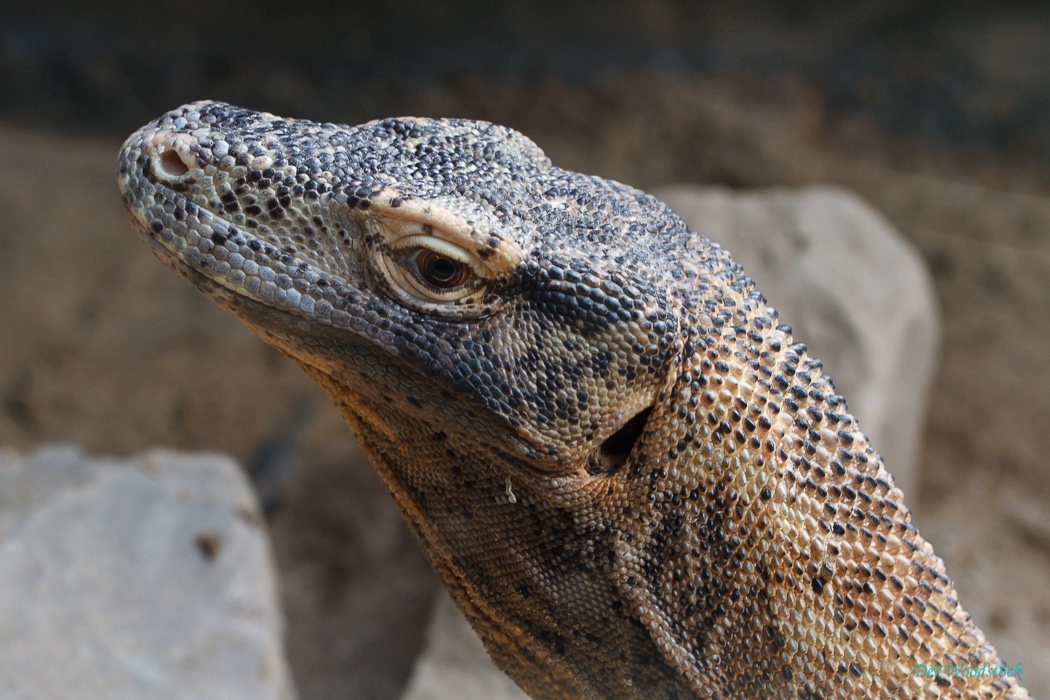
[(102, 347)]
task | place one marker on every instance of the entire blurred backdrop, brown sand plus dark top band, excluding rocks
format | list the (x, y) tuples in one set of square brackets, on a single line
[(937, 114)]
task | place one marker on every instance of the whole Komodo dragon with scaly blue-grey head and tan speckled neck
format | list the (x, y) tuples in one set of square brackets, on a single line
[(632, 479)]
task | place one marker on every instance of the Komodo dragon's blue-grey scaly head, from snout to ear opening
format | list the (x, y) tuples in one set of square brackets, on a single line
[(424, 270)]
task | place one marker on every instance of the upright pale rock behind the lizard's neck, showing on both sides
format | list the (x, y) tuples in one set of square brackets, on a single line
[(853, 289)]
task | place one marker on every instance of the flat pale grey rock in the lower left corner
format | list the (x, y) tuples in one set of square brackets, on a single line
[(148, 578)]
